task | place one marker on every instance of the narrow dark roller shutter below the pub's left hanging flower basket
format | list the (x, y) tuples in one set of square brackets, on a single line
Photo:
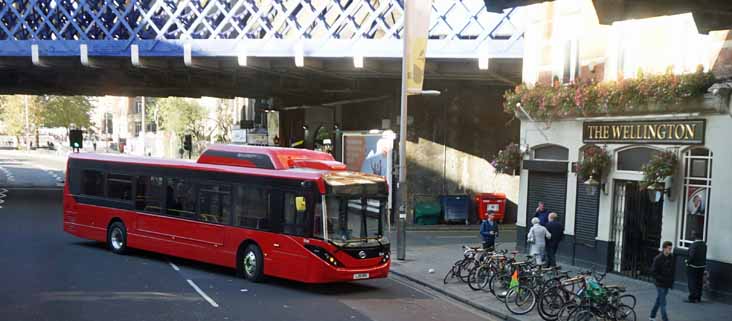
[(585, 226)]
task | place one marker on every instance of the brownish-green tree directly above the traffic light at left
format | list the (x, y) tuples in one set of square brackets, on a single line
[(65, 111)]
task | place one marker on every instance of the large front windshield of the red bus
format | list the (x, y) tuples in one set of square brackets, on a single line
[(355, 221)]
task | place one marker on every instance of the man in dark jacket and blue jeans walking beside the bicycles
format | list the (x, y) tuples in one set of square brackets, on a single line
[(663, 272)]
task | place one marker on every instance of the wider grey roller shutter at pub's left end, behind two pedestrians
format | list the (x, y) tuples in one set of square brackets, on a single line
[(550, 188)]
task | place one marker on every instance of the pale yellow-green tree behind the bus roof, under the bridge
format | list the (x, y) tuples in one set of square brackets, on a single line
[(180, 116)]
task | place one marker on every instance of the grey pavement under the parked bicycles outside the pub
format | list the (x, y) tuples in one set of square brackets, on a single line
[(430, 255)]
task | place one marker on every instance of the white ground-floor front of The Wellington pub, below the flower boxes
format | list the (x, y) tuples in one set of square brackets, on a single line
[(616, 225)]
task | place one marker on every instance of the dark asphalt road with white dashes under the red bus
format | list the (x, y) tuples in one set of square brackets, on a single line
[(51, 275)]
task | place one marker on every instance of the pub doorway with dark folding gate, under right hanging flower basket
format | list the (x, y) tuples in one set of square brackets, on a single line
[(636, 230)]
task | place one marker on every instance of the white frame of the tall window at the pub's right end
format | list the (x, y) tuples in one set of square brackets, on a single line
[(687, 180)]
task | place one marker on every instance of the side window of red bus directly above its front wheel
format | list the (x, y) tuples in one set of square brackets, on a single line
[(251, 208)]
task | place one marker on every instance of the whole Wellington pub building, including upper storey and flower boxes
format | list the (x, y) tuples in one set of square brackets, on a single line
[(612, 222)]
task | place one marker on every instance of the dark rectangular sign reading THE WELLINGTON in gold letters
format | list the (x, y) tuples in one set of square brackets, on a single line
[(677, 132)]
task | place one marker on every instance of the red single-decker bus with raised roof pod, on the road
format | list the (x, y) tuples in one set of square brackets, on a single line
[(288, 213)]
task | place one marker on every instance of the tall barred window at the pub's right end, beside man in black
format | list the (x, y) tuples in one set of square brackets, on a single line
[(696, 194)]
